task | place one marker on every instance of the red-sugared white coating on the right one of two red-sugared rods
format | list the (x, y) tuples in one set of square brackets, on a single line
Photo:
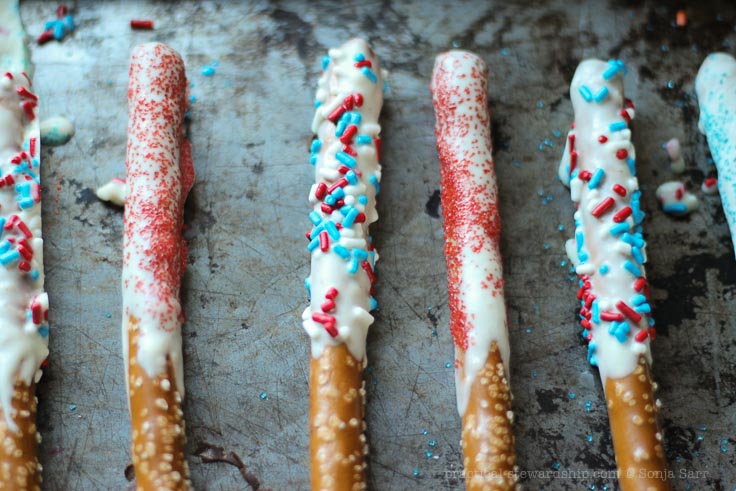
[(471, 218)]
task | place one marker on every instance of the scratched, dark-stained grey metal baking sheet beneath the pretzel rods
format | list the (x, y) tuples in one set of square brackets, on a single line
[(246, 355)]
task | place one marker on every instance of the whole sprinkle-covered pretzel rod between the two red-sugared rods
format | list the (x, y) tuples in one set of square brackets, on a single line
[(345, 152)]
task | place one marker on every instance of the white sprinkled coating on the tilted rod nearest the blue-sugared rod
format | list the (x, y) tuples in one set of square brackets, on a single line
[(608, 249)]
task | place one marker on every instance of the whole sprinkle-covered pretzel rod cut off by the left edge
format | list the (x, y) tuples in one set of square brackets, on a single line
[(24, 326)]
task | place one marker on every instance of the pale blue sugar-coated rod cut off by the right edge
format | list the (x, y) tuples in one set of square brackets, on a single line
[(715, 86)]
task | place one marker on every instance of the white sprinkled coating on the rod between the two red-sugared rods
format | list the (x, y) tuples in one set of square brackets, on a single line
[(344, 263)]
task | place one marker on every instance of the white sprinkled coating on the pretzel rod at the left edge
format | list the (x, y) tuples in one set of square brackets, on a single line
[(24, 327)]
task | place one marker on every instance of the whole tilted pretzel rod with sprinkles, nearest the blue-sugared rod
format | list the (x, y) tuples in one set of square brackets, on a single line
[(609, 253)]
